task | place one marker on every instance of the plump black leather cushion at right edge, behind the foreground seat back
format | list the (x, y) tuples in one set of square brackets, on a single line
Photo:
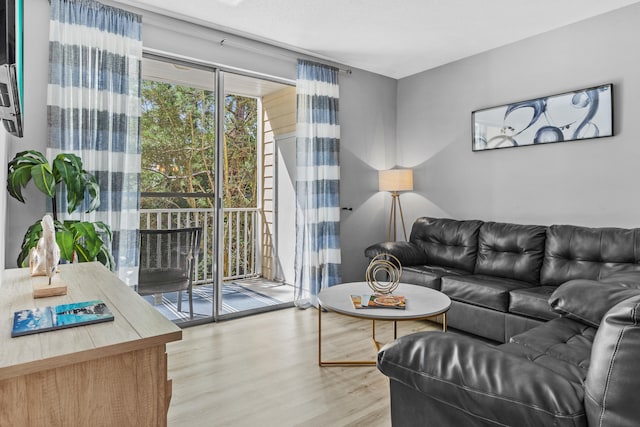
[(587, 301)]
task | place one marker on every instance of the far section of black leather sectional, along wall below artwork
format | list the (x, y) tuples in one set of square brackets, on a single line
[(500, 276)]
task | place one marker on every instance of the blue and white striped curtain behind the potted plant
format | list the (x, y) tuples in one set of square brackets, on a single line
[(93, 103)]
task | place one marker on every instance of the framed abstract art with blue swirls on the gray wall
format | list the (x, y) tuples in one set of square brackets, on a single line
[(582, 114)]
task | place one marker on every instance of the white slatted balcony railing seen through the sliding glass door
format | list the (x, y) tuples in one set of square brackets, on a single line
[(240, 238)]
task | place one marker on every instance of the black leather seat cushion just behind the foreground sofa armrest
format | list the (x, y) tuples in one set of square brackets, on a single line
[(561, 345)]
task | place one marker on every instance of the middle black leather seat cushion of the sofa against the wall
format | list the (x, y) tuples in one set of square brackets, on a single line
[(485, 291)]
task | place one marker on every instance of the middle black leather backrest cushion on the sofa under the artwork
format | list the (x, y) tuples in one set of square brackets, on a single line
[(512, 251)]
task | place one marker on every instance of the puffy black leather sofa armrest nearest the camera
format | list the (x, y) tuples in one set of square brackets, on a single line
[(482, 380)]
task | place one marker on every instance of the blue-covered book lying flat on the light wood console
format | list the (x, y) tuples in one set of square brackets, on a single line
[(35, 320)]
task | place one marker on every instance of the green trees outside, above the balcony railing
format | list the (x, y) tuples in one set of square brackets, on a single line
[(178, 146)]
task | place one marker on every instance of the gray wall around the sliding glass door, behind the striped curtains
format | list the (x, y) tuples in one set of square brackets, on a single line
[(367, 116)]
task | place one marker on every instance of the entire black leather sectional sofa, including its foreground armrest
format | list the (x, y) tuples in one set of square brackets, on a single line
[(565, 299)]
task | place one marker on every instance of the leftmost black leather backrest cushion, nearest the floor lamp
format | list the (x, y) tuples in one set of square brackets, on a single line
[(447, 242)]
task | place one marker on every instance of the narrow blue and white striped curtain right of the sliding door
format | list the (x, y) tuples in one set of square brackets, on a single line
[(317, 258)]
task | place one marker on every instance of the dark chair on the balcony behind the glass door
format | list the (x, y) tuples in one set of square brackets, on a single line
[(167, 262)]
